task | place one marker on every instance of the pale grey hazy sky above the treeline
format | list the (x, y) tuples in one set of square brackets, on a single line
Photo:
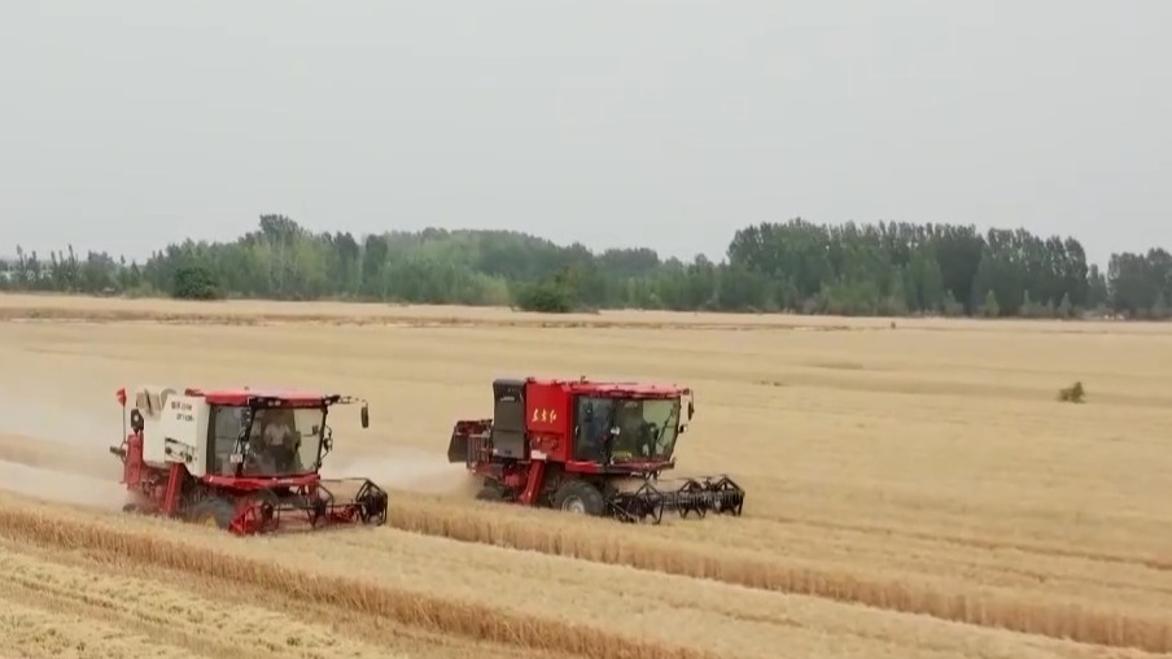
[(128, 125)]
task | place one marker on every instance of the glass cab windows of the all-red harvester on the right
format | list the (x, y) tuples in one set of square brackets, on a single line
[(646, 429)]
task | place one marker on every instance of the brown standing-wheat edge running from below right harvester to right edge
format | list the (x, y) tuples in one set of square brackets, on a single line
[(977, 607)]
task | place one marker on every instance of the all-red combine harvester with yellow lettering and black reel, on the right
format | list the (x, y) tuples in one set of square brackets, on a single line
[(594, 449)]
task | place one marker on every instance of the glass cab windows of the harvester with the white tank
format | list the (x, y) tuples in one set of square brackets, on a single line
[(282, 441)]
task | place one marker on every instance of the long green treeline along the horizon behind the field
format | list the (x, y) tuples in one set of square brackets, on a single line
[(885, 269)]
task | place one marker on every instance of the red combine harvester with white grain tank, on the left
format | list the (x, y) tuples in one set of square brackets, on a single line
[(243, 460)]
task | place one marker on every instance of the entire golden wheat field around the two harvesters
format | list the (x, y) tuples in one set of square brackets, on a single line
[(915, 487)]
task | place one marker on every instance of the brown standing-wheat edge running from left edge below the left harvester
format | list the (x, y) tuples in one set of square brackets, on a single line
[(414, 609)]
